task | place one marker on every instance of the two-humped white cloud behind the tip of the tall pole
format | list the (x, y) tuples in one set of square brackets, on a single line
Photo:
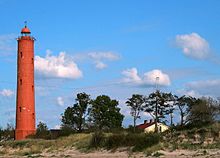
[(148, 79)]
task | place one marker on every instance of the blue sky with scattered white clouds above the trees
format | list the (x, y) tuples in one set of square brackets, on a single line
[(110, 47)]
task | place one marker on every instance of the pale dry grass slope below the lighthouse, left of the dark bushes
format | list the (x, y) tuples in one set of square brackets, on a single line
[(37, 146)]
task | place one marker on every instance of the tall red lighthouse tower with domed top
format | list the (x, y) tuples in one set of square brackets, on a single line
[(25, 103)]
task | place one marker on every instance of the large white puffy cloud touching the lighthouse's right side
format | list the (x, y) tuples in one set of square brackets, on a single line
[(57, 66)]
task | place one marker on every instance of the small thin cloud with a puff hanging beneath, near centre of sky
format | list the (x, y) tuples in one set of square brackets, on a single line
[(99, 58)]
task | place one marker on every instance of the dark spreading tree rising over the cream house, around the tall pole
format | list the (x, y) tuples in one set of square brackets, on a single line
[(157, 105)]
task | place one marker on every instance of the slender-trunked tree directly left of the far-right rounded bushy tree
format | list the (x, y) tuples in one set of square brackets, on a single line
[(184, 104)]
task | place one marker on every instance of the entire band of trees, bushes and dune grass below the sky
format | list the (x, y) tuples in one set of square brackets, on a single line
[(92, 124)]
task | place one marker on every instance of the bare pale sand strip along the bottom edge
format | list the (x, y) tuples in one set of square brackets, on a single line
[(73, 153)]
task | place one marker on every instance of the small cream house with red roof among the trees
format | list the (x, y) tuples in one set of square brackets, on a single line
[(150, 126)]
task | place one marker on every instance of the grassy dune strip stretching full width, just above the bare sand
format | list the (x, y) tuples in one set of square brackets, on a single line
[(86, 142)]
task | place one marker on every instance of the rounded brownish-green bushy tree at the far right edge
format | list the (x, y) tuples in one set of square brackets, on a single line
[(203, 111)]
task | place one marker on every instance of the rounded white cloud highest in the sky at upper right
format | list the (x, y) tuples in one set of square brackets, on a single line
[(193, 45)]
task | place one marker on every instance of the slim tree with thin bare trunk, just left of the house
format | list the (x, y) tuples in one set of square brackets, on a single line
[(136, 103)]
